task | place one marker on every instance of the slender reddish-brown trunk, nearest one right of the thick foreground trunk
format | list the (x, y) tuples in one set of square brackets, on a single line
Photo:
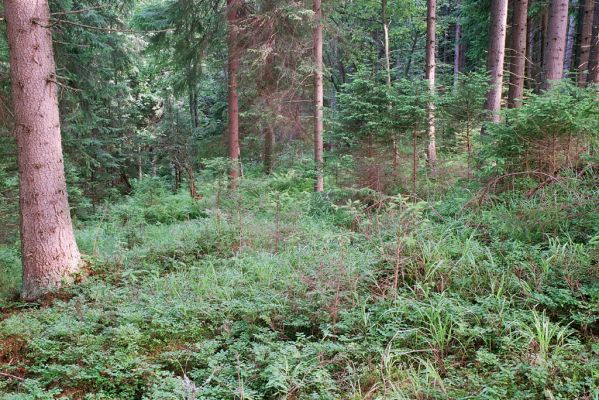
[(233, 67)]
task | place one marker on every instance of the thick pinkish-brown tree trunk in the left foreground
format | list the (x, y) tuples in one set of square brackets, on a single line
[(49, 251)]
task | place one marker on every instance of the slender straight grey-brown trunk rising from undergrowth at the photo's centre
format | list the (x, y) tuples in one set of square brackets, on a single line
[(318, 99)]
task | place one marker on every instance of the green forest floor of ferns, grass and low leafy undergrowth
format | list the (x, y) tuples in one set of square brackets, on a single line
[(274, 292)]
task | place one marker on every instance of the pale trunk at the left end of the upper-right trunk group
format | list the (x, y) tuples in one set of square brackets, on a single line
[(496, 56)]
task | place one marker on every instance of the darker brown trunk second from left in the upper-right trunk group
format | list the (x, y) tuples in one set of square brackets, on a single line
[(518, 58)]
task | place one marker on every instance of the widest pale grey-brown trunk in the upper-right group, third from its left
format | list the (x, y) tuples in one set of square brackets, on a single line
[(553, 62)]
